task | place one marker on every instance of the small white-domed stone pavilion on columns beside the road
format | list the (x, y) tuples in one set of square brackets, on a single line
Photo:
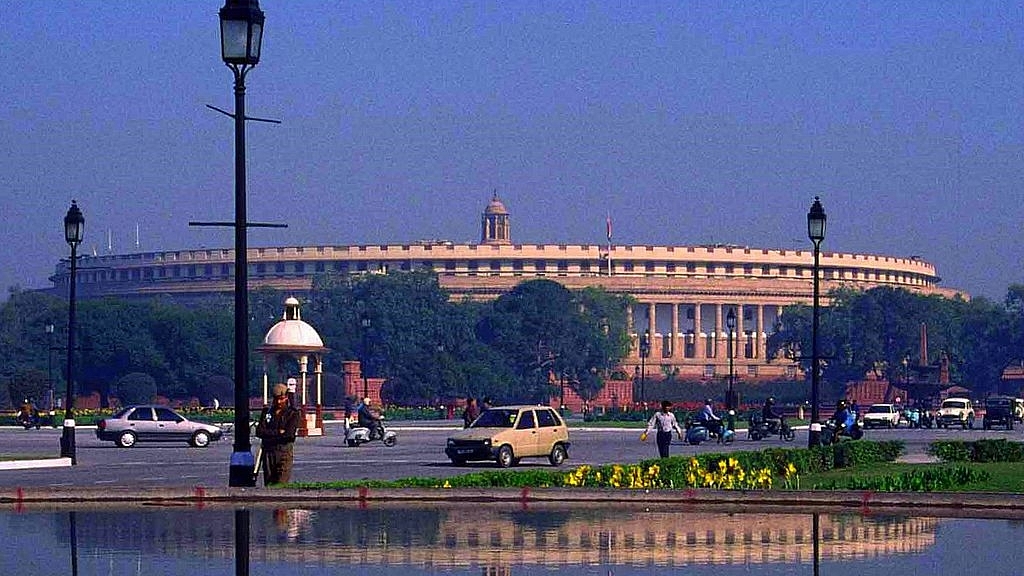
[(290, 344)]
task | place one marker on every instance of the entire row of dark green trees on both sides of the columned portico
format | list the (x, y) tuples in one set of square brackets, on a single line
[(407, 330)]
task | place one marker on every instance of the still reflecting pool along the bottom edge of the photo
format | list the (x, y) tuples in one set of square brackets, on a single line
[(500, 542)]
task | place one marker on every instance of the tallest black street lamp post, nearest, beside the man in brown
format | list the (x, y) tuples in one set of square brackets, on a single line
[(241, 37)]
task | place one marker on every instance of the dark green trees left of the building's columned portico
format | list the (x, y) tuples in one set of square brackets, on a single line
[(404, 327)]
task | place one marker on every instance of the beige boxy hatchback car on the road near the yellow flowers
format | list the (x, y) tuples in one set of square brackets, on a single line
[(508, 434)]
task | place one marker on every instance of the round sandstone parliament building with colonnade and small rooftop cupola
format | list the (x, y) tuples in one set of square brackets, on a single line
[(682, 295)]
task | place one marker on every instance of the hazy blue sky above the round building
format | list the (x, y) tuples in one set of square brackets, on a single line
[(690, 122)]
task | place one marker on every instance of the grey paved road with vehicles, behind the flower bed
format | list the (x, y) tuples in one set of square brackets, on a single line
[(419, 454)]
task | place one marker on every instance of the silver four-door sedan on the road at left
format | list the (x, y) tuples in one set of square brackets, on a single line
[(155, 424)]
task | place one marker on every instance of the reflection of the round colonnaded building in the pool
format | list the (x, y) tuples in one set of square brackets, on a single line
[(495, 538)]
